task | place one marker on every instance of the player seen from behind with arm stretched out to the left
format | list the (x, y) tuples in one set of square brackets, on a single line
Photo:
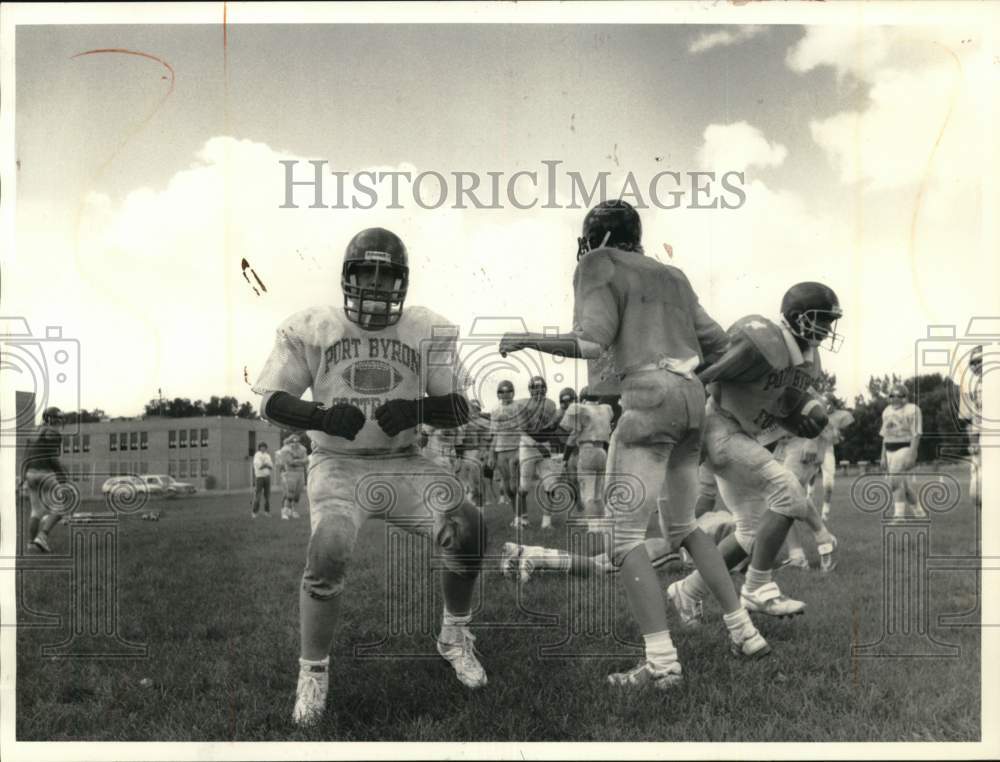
[(648, 315)]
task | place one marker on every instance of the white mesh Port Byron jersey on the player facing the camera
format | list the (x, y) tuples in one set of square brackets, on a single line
[(341, 362)]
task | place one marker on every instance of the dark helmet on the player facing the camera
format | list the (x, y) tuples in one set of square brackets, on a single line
[(372, 257)]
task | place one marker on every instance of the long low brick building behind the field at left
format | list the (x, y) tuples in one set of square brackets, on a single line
[(210, 453)]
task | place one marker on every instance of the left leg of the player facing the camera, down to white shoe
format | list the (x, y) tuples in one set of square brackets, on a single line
[(334, 520)]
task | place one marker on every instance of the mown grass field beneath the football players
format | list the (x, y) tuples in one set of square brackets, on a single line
[(214, 595)]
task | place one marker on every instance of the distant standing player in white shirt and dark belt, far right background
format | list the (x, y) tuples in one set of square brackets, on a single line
[(902, 427)]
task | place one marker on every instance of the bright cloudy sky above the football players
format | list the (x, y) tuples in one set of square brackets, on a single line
[(144, 181)]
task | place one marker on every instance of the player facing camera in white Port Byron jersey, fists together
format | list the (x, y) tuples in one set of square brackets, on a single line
[(376, 372)]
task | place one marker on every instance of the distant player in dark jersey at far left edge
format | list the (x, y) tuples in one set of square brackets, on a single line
[(41, 471)]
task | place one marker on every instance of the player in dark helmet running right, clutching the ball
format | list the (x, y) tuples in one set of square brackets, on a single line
[(759, 392)]
